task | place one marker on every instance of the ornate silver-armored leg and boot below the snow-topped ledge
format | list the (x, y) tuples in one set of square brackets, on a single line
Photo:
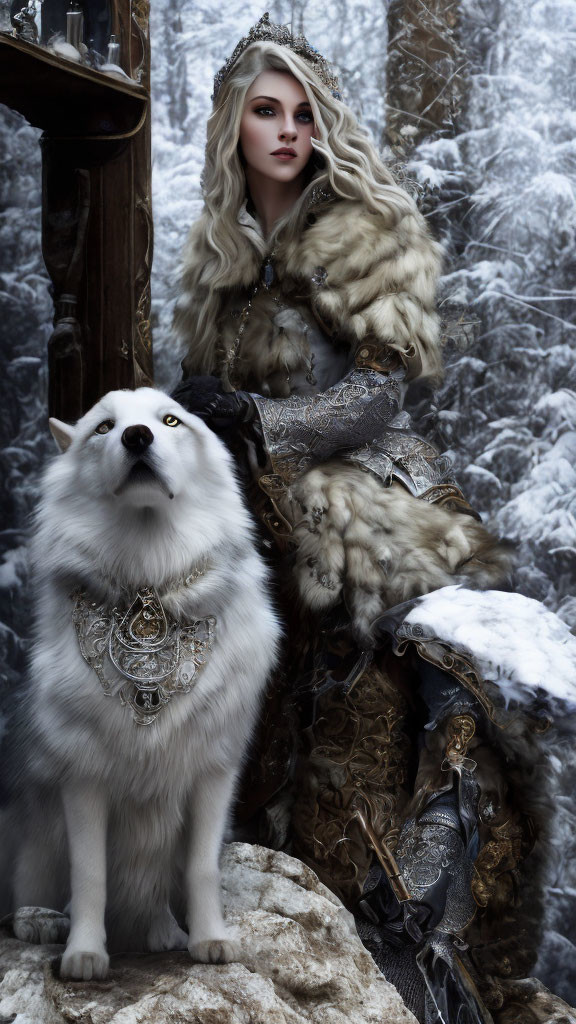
[(458, 856)]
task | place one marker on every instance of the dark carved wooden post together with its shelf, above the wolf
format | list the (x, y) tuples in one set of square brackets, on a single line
[(97, 210)]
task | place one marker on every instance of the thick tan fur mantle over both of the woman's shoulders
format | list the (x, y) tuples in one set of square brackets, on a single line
[(363, 279)]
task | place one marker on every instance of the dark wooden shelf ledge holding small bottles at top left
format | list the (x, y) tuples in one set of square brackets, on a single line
[(65, 99)]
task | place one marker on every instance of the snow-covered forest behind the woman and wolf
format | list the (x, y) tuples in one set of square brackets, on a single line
[(499, 188)]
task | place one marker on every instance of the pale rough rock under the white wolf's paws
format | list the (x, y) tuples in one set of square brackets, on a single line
[(302, 964)]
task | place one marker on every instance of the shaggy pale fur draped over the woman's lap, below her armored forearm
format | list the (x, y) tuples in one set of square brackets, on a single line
[(381, 546)]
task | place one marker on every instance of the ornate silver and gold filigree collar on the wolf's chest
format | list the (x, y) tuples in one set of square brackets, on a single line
[(158, 657)]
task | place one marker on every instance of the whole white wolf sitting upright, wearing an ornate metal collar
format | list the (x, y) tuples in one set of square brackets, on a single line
[(154, 639)]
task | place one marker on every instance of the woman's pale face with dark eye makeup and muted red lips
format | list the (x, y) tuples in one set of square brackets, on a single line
[(277, 127)]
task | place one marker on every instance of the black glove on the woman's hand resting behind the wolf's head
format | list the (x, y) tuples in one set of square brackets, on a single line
[(221, 410)]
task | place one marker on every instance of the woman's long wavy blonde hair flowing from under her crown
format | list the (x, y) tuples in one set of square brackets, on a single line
[(345, 159)]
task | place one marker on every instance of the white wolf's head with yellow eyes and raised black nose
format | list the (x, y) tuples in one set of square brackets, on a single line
[(143, 490)]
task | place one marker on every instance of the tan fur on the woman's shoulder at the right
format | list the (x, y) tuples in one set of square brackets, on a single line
[(380, 284)]
